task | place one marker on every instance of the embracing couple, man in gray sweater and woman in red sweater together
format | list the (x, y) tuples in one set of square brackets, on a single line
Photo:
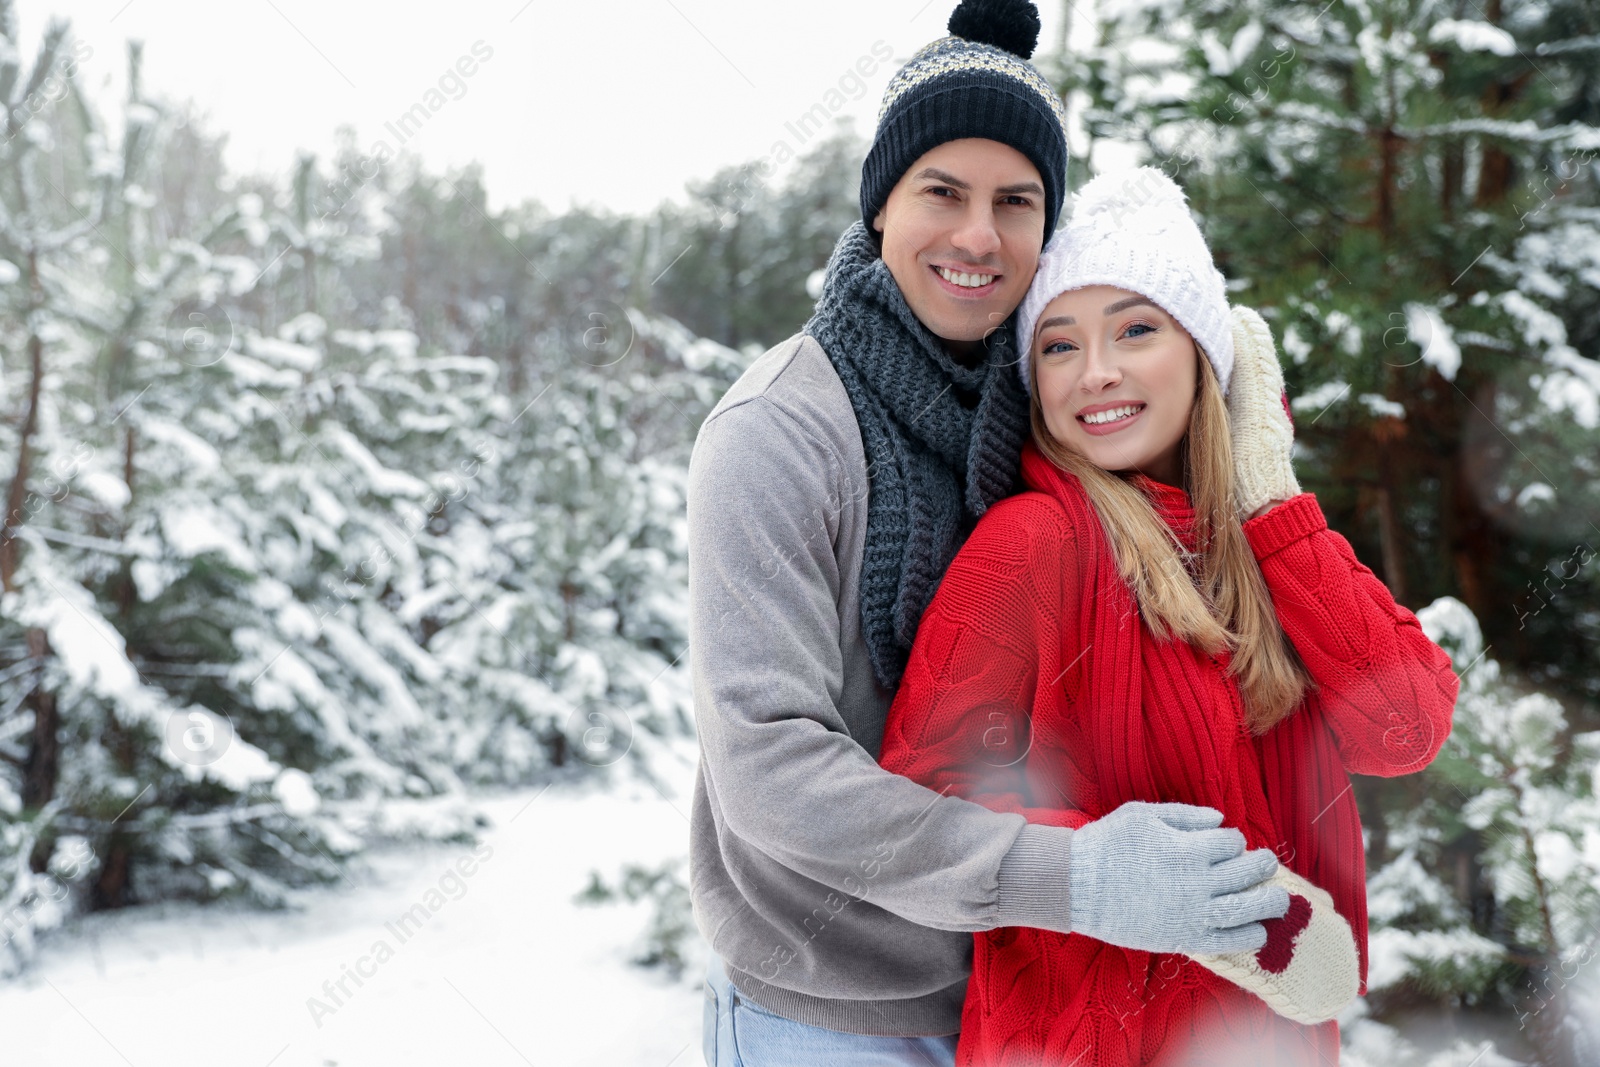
[(1028, 679)]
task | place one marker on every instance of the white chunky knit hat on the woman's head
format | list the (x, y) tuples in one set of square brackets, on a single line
[(1134, 231)]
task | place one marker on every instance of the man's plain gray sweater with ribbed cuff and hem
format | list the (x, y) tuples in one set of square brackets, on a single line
[(836, 893)]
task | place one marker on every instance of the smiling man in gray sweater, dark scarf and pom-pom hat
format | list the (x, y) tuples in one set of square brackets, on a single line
[(830, 490)]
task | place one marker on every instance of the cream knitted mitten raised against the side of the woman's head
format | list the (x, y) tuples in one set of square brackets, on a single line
[(1262, 431)]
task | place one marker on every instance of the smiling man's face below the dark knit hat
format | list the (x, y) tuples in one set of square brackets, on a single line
[(962, 231)]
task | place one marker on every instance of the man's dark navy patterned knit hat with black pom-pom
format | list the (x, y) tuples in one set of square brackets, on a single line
[(974, 84)]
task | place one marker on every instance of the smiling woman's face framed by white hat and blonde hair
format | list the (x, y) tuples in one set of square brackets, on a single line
[(1116, 380)]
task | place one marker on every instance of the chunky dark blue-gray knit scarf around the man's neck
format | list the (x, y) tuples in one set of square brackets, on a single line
[(935, 466)]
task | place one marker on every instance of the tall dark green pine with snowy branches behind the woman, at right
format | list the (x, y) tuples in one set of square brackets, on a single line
[(1412, 193)]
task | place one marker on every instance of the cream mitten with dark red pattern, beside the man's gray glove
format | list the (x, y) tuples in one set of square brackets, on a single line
[(1308, 970)]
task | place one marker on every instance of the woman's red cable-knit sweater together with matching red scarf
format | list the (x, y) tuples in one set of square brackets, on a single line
[(1034, 687)]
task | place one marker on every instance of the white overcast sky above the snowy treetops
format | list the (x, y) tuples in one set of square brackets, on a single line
[(614, 103)]
